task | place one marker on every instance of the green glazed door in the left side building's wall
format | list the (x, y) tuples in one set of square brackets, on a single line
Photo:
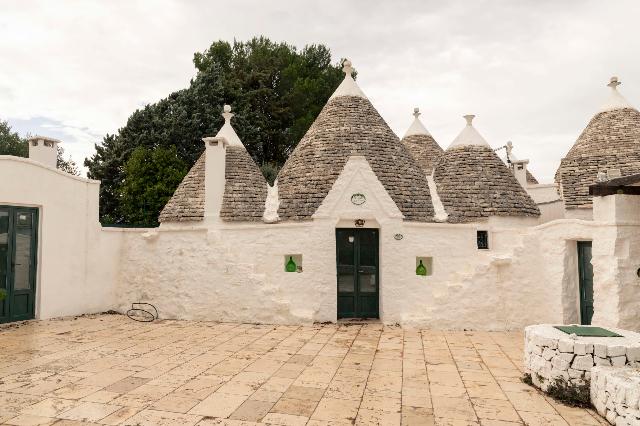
[(18, 254)]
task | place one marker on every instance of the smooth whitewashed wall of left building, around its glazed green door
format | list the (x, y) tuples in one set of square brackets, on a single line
[(77, 264)]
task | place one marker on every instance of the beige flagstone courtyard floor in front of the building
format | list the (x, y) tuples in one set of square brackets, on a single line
[(109, 370)]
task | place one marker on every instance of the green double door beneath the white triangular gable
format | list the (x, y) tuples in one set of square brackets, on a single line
[(357, 266)]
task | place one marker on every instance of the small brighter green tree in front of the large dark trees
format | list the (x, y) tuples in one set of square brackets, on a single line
[(151, 176)]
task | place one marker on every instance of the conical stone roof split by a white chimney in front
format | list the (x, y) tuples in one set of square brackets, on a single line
[(245, 189)]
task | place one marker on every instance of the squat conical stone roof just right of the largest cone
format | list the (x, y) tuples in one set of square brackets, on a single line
[(473, 182)]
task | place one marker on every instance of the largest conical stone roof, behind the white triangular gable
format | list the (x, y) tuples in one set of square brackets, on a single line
[(350, 125)]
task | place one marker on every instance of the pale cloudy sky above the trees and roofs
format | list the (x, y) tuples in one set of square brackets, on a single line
[(534, 72)]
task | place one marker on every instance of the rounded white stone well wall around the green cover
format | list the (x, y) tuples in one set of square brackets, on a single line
[(550, 353)]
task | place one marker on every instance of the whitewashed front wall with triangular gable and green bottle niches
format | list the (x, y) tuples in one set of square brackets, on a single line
[(236, 272)]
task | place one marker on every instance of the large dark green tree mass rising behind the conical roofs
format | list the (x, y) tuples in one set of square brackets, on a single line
[(276, 92)]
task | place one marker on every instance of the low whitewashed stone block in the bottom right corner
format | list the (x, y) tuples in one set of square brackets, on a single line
[(615, 393)]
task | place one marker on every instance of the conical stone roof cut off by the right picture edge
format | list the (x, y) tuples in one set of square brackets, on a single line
[(611, 140)]
